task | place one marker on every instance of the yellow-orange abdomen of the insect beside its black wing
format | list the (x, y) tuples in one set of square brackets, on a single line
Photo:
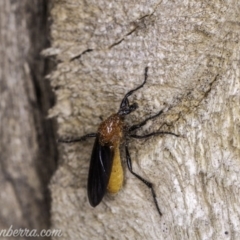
[(116, 178)]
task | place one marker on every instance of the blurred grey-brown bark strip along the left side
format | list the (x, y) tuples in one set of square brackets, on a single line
[(27, 146)]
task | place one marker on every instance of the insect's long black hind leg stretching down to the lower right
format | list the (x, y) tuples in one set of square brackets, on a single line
[(148, 184)]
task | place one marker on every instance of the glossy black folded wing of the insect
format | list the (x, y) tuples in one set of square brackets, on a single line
[(99, 172)]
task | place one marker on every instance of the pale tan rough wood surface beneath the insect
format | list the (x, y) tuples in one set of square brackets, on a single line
[(192, 50)]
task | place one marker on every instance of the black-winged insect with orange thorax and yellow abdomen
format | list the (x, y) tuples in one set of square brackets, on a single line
[(105, 171)]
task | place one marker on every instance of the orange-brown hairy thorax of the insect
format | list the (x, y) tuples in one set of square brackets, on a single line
[(111, 130)]
